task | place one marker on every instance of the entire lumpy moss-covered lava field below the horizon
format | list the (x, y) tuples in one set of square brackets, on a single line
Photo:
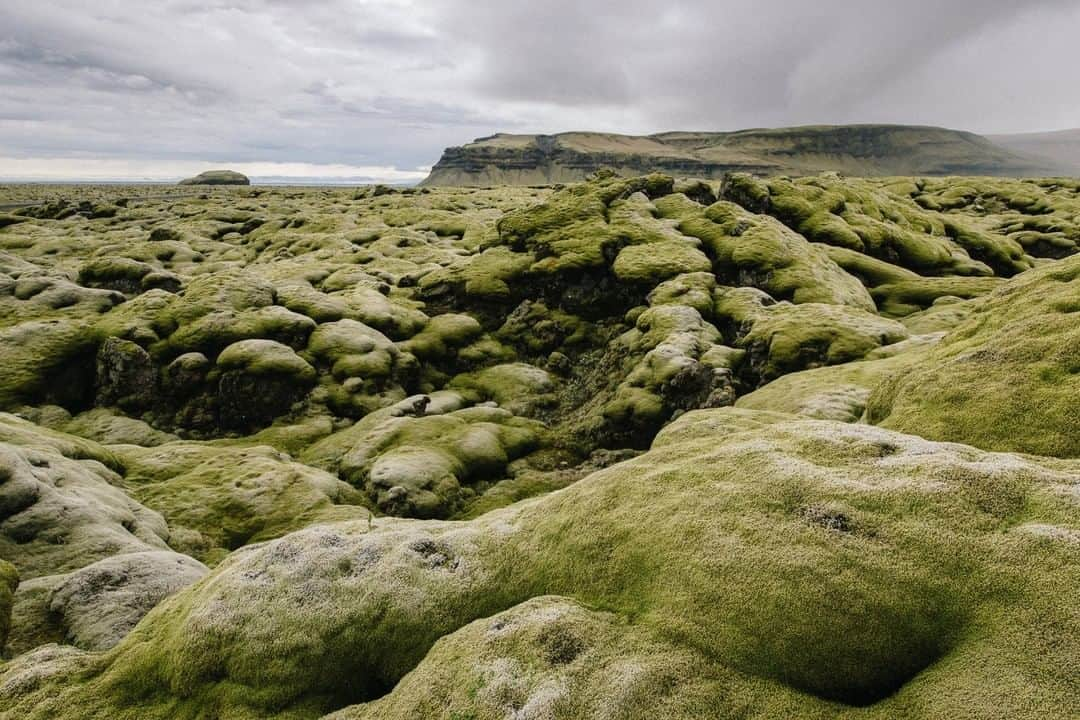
[(627, 449)]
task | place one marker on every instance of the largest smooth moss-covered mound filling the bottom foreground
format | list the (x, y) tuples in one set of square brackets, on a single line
[(854, 568)]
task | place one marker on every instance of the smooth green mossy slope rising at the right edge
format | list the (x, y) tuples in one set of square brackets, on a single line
[(1007, 378)]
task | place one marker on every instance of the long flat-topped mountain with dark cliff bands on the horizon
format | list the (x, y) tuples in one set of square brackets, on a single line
[(857, 151)]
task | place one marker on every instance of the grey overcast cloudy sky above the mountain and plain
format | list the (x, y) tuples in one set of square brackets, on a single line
[(376, 89)]
